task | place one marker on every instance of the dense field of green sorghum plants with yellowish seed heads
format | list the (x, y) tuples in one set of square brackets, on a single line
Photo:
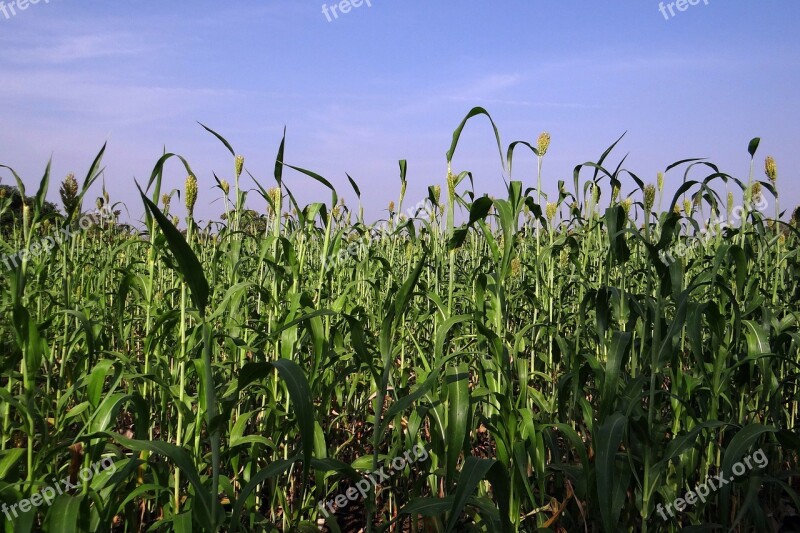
[(576, 361)]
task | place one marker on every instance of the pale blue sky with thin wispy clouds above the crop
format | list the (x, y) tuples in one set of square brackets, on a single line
[(391, 81)]
